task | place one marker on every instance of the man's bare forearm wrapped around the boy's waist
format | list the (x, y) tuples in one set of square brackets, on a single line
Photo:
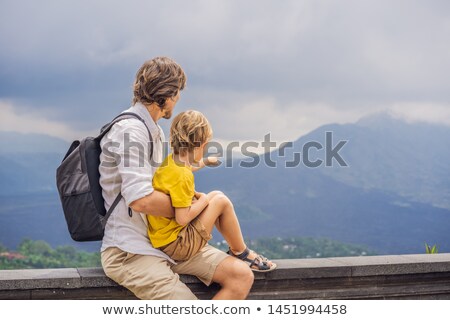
[(156, 204)]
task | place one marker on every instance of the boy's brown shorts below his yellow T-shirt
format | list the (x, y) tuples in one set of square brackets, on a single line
[(190, 240)]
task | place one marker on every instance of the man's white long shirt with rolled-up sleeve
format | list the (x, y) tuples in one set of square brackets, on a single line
[(125, 167)]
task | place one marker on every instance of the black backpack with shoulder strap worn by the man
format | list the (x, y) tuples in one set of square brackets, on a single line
[(77, 179)]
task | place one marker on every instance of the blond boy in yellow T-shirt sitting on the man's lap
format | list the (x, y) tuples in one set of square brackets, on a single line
[(183, 236)]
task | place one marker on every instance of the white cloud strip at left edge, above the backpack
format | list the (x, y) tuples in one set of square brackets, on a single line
[(11, 119)]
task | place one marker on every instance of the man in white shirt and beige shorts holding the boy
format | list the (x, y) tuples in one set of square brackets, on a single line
[(127, 255)]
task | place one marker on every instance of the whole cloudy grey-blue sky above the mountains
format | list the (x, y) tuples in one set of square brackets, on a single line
[(253, 67)]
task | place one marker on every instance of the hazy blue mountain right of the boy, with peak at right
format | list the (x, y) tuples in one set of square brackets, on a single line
[(393, 196)]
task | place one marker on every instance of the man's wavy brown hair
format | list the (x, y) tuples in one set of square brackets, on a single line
[(157, 80)]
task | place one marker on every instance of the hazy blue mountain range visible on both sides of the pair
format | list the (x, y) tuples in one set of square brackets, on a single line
[(393, 196)]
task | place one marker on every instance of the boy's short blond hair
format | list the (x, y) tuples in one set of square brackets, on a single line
[(190, 129)]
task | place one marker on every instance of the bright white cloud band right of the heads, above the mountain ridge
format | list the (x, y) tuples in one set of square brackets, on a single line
[(250, 116)]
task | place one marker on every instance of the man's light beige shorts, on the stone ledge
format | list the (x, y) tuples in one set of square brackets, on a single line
[(155, 278)]
